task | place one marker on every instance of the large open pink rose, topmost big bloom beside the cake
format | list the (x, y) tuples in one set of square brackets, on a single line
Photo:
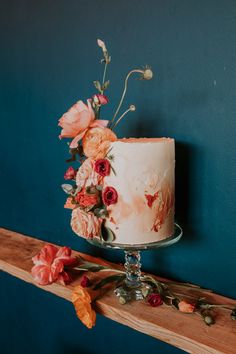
[(77, 120)]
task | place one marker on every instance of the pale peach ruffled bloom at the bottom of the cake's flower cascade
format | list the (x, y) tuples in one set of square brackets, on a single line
[(85, 224)]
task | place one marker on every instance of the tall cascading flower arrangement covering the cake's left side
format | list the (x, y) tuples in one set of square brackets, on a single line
[(90, 145)]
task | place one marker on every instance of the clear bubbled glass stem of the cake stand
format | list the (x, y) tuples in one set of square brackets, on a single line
[(133, 269)]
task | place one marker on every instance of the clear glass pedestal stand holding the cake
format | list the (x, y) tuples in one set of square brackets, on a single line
[(133, 288)]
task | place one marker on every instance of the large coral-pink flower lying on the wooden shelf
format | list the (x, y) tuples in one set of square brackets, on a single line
[(49, 265)]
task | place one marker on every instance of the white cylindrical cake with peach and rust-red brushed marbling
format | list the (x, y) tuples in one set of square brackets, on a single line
[(143, 177)]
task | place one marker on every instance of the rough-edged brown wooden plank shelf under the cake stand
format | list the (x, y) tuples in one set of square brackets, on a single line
[(184, 331)]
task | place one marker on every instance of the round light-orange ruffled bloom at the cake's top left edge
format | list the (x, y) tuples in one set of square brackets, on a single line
[(96, 142)]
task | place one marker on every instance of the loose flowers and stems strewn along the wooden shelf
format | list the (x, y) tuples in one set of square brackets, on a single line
[(53, 264)]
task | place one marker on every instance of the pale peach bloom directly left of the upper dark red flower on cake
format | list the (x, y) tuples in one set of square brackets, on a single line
[(87, 176)]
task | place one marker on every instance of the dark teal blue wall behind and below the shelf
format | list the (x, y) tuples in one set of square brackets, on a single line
[(48, 60)]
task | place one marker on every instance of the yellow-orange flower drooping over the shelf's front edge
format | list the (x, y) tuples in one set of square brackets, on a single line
[(82, 300)]
